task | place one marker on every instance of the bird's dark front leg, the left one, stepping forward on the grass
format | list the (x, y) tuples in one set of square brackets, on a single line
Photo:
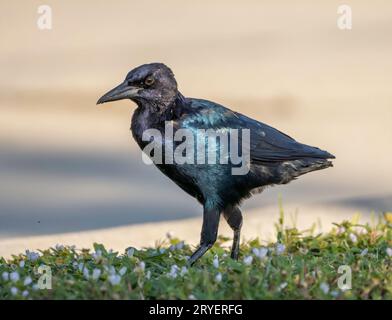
[(209, 233)]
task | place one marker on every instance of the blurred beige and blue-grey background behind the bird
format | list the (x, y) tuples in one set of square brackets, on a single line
[(67, 165)]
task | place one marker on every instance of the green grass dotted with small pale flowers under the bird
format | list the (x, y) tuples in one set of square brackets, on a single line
[(301, 265)]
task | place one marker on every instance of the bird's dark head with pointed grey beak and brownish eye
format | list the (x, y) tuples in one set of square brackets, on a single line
[(152, 83)]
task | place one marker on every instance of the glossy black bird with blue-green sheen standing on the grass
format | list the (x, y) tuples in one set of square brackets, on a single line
[(275, 158)]
